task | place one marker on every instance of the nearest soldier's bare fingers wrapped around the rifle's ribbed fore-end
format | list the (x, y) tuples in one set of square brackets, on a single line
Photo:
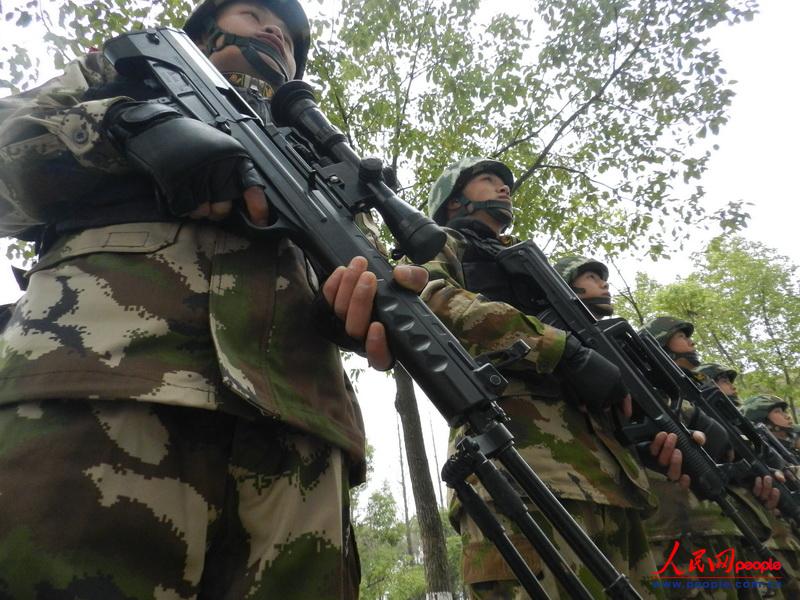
[(350, 291)]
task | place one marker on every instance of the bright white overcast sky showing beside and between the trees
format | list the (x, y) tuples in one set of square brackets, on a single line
[(756, 162)]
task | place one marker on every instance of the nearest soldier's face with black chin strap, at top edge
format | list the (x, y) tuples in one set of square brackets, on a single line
[(250, 19)]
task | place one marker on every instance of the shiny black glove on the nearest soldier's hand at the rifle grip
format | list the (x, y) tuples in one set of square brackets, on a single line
[(192, 163)]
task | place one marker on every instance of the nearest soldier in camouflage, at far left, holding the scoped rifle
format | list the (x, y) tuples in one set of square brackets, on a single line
[(172, 423)]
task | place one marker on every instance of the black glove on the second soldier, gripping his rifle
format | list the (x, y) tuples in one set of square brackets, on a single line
[(596, 382)]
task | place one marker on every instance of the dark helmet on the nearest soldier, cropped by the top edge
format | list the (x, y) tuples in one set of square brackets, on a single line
[(201, 21)]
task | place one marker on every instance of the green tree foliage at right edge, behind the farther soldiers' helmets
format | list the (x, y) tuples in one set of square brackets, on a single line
[(743, 299)]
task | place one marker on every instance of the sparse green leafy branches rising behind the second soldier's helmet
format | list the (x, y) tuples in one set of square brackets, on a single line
[(598, 105)]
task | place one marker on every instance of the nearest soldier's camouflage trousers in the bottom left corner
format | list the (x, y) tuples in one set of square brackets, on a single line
[(125, 500)]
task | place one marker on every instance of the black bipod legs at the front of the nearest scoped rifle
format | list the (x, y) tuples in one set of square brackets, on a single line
[(471, 457)]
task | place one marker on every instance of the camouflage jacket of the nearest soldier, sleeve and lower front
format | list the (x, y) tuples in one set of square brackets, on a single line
[(175, 312)]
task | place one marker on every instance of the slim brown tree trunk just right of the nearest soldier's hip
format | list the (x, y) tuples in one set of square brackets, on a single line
[(434, 548)]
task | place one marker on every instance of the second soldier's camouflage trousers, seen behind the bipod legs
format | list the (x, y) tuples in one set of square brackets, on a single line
[(617, 532)]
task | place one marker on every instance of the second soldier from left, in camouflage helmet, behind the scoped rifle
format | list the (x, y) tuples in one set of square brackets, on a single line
[(567, 437)]
